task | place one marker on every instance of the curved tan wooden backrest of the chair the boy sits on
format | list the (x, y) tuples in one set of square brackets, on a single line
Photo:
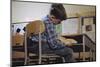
[(35, 27)]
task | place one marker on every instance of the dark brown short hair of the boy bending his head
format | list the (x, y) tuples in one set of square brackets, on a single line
[(58, 11)]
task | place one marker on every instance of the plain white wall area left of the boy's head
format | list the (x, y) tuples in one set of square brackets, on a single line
[(28, 11)]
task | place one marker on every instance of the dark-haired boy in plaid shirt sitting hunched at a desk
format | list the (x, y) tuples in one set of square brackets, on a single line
[(56, 15)]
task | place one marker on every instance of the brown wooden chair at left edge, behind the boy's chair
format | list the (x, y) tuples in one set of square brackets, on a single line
[(18, 54)]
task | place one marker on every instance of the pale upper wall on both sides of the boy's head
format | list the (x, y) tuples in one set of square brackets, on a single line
[(27, 11)]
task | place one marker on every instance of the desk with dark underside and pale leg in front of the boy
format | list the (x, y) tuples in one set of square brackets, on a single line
[(80, 46)]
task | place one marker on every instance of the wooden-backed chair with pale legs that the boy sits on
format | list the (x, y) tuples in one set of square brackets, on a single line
[(36, 27)]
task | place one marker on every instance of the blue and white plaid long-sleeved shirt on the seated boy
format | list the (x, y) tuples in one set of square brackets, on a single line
[(49, 35)]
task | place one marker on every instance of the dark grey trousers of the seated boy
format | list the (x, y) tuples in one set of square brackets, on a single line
[(65, 52)]
